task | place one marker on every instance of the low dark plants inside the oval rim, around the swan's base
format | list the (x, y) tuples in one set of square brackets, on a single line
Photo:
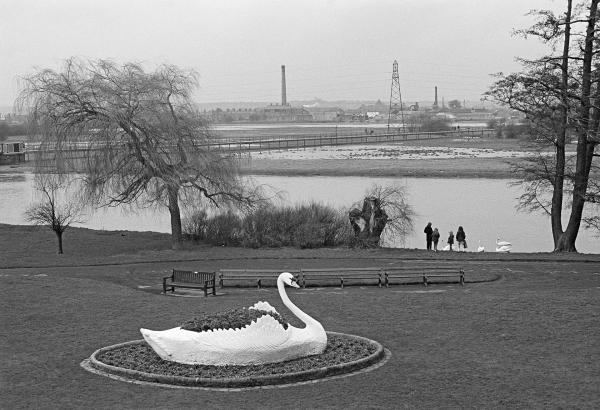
[(142, 358)]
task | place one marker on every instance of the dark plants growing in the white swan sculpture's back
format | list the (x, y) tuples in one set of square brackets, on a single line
[(229, 319)]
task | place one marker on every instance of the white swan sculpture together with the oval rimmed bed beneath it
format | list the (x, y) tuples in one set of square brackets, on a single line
[(264, 352)]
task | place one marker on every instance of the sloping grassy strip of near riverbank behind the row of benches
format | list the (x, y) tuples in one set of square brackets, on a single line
[(35, 246)]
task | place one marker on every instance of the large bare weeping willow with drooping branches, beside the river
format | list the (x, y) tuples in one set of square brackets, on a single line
[(134, 135)]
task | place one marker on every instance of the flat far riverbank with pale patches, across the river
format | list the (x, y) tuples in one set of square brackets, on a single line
[(436, 158)]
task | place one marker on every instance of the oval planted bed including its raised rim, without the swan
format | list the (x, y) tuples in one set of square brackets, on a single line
[(137, 361)]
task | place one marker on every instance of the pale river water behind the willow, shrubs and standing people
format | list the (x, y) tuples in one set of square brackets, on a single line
[(484, 207)]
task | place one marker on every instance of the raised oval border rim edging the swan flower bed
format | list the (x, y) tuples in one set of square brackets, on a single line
[(363, 364)]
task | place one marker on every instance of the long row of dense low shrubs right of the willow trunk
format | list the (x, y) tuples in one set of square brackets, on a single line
[(304, 226)]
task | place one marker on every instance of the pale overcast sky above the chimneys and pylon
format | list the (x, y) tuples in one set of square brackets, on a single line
[(332, 50)]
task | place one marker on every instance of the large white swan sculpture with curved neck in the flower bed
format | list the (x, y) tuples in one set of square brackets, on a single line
[(263, 341)]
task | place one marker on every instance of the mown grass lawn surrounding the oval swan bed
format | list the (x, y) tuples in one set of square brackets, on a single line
[(529, 340)]
